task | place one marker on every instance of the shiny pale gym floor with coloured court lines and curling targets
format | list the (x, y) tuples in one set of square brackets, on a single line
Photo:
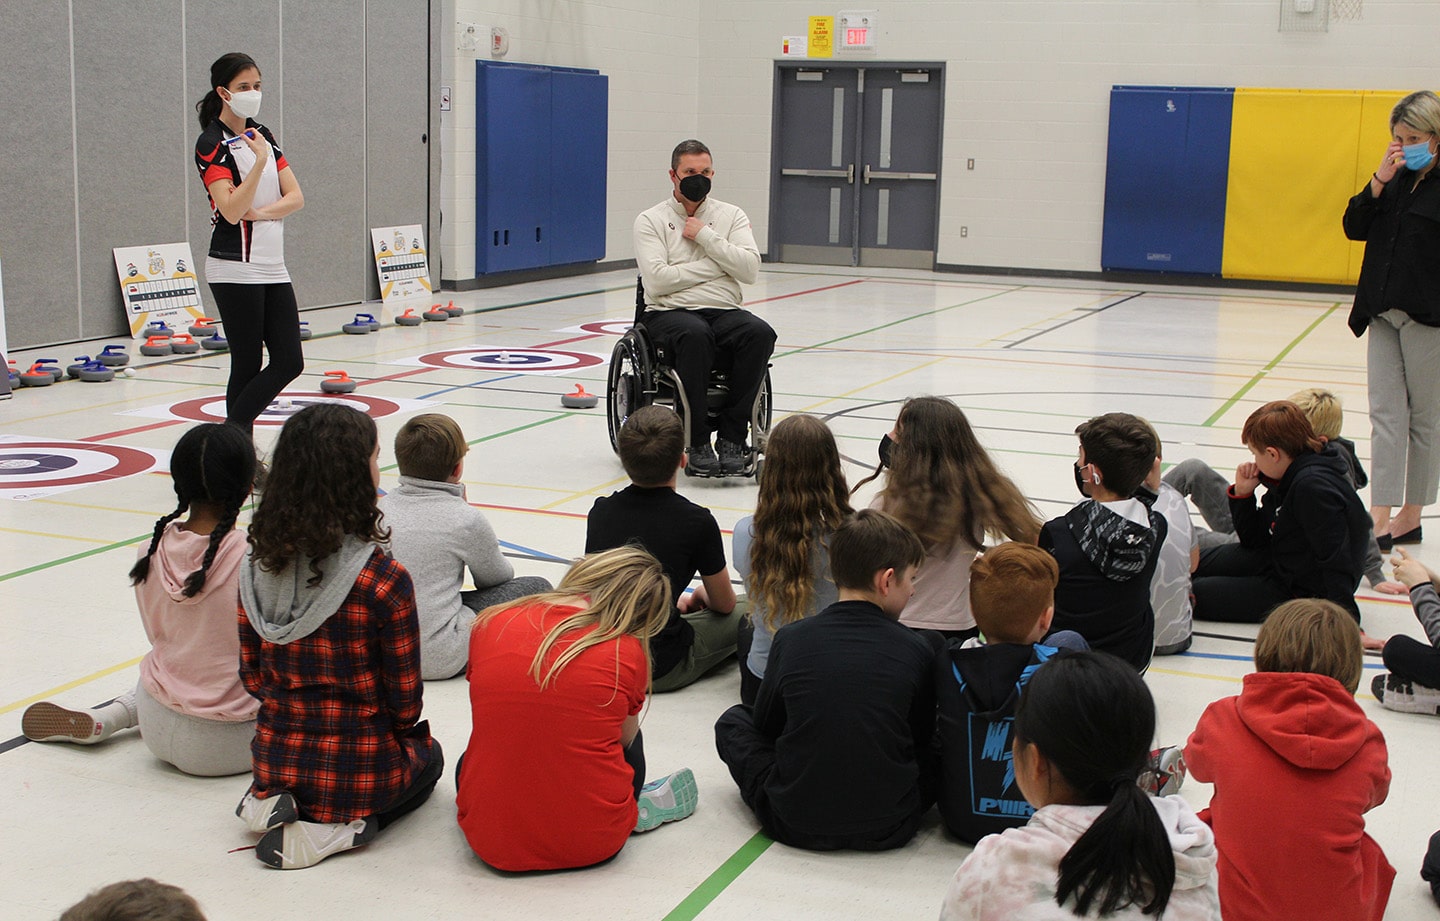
[(1026, 359)]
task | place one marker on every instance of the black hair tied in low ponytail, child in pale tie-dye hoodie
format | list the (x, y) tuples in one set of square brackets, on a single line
[(1094, 719)]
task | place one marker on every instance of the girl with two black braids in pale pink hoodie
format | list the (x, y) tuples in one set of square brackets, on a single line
[(189, 704)]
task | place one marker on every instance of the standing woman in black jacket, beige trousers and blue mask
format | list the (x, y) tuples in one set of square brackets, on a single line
[(1398, 214)]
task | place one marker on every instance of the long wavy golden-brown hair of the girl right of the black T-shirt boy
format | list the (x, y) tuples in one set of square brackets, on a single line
[(803, 499)]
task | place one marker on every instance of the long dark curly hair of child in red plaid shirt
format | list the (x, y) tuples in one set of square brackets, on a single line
[(319, 490)]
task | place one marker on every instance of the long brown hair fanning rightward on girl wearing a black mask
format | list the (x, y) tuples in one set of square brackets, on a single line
[(944, 486)]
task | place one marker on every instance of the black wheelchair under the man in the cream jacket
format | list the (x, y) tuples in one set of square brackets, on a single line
[(642, 375)]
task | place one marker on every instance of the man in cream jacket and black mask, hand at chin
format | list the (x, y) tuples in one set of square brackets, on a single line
[(695, 253)]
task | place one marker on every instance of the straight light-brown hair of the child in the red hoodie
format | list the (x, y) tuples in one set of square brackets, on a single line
[(1311, 635)]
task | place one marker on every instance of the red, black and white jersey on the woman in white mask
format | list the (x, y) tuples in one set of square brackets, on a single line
[(260, 242)]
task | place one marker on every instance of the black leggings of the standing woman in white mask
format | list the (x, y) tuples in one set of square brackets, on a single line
[(257, 316)]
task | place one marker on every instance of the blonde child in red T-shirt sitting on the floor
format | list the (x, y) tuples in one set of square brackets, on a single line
[(557, 687)]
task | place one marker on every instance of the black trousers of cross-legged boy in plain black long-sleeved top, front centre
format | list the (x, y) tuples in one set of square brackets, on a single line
[(751, 759)]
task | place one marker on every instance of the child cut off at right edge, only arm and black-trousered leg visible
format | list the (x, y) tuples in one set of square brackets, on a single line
[(1413, 684)]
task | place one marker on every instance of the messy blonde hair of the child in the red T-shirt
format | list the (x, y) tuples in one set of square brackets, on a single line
[(629, 595)]
